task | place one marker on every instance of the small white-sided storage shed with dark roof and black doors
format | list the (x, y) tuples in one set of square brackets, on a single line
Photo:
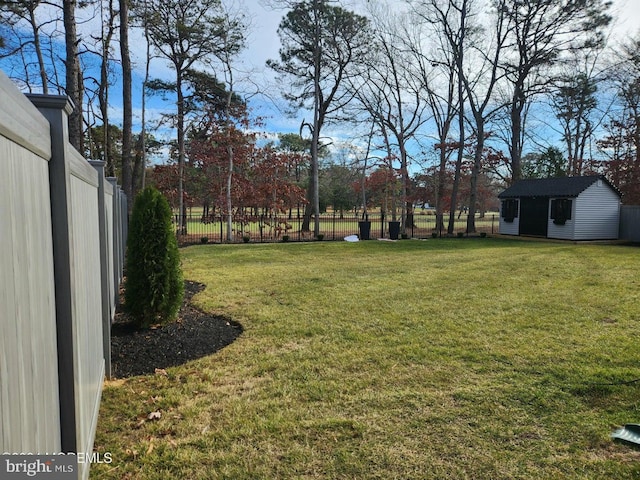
[(568, 208)]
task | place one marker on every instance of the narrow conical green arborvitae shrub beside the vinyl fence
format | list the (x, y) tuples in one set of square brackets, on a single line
[(154, 286)]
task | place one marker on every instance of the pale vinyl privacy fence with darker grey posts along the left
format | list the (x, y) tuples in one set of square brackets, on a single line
[(62, 237)]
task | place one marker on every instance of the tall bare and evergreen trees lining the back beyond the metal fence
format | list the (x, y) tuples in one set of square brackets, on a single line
[(445, 101)]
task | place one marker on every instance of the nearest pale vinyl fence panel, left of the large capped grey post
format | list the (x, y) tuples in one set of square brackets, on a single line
[(29, 400)]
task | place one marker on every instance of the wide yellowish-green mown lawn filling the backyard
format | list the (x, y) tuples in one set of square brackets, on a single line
[(437, 359)]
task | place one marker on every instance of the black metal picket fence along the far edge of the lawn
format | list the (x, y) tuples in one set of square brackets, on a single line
[(198, 228)]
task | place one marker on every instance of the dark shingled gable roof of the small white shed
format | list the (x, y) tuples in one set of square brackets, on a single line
[(553, 187)]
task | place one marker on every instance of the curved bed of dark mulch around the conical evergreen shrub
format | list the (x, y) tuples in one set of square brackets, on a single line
[(193, 335)]
